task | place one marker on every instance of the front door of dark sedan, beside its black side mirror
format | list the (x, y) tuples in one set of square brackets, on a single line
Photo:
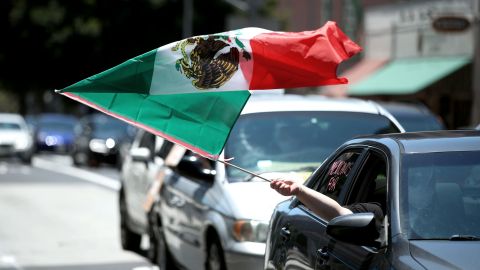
[(369, 184)]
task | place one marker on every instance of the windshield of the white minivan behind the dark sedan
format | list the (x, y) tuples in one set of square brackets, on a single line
[(294, 141)]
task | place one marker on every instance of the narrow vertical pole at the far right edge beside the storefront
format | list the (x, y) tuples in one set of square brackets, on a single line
[(475, 118)]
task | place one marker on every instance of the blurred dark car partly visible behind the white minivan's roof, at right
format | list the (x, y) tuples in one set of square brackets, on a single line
[(414, 116)]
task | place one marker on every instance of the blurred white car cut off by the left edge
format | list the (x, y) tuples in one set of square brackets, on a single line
[(15, 137)]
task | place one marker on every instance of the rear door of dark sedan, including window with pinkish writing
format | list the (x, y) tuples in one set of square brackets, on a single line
[(305, 233)]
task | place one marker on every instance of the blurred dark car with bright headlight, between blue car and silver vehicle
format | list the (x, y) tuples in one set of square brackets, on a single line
[(100, 138)]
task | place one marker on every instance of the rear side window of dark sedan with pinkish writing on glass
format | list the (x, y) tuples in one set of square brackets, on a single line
[(337, 174)]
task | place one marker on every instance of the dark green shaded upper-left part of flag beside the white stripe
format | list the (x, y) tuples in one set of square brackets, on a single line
[(133, 75)]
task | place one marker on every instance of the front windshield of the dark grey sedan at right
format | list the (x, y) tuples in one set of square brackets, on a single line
[(440, 195)]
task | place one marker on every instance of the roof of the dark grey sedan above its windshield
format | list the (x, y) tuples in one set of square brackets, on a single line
[(431, 141)]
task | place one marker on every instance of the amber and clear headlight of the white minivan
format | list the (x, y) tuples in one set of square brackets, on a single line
[(250, 230)]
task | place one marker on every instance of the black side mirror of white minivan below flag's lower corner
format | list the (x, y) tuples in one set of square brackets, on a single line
[(194, 167)]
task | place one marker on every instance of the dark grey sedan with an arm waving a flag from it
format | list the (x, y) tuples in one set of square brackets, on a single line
[(429, 188)]
